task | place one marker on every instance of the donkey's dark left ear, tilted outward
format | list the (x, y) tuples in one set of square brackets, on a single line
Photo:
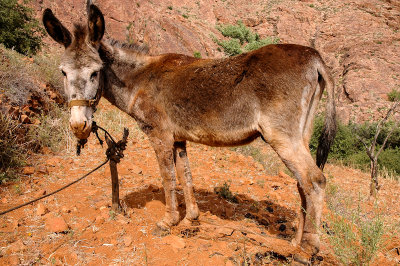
[(55, 29)]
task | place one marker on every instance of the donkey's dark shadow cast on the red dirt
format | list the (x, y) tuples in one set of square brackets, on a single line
[(276, 219)]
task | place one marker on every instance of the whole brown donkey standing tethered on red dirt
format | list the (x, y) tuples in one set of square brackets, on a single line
[(272, 93)]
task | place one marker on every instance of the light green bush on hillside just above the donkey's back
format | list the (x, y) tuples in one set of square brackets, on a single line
[(241, 39)]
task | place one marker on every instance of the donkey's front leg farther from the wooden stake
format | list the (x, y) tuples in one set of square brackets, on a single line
[(185, 178)]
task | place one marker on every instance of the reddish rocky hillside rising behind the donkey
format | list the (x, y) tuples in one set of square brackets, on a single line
[(359, 39)]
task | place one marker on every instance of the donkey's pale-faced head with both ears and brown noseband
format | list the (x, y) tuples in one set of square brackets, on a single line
[(81, 65)]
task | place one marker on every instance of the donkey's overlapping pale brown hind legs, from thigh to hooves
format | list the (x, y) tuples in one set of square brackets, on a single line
[(311, 185)]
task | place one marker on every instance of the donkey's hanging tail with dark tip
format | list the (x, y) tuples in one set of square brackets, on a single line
[(329, 130)]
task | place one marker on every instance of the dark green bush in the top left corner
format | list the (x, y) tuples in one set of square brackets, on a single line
[(18, 27)]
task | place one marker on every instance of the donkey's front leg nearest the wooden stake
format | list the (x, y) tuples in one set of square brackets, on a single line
[(165, 157)]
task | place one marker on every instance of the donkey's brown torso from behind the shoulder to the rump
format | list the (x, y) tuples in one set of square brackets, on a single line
[(224, 102)]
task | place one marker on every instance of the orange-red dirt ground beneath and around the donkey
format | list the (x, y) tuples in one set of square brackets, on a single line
[(257, 229)]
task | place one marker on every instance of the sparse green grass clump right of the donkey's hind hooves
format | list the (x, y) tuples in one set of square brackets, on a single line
[(354, 236)]
